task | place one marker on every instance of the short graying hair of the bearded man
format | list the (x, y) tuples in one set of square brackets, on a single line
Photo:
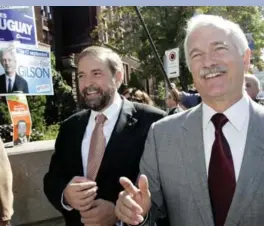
[(108, 56)]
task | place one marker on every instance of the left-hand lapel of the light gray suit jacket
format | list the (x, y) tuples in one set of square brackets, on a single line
[(194, 162)]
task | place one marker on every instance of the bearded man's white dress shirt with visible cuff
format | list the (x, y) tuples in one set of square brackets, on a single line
[(111, 114)]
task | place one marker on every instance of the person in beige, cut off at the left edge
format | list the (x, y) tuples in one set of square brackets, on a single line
[(6, 190)]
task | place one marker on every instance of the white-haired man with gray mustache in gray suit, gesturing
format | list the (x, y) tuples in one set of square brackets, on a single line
[(217, 176)]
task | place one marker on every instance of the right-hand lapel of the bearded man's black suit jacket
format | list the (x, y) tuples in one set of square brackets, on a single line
[(124, 122)]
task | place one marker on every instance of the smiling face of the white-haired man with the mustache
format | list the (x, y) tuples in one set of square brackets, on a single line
[(216, 65)]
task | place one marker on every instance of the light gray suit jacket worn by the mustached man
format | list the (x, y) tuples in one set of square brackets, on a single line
[(174, 162)]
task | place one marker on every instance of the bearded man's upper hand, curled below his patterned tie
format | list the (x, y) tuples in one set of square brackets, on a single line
[(80, 193)]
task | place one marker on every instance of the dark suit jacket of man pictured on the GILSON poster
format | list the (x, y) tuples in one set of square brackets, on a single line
[(19, 85)]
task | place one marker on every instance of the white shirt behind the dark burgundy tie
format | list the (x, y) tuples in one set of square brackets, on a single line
[(235, 131)]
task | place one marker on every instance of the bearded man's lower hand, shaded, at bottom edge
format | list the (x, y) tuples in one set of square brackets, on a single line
[(102, 213)]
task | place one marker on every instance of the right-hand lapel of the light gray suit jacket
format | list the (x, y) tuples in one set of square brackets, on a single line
[(251, 169)]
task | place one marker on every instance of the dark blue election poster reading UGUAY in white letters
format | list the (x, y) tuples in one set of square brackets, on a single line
[(17, 23)]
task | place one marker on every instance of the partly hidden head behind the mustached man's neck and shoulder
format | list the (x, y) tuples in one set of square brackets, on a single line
[(252, 85)]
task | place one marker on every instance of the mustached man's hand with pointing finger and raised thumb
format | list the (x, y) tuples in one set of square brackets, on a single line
[(133, 203)]
